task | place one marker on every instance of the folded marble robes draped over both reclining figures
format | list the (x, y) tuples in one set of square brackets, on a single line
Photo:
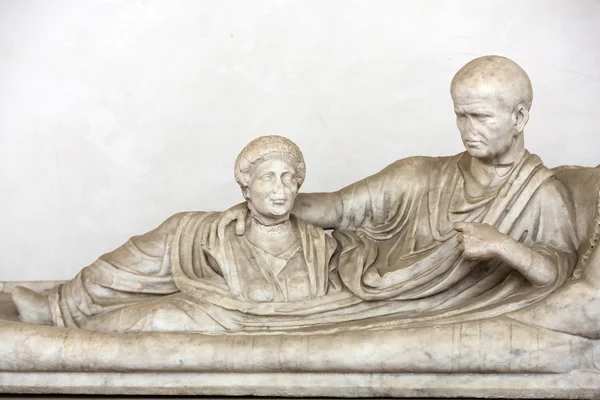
[(394, 262)]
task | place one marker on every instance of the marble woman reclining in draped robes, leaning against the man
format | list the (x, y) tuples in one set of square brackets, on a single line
[(138, 286)]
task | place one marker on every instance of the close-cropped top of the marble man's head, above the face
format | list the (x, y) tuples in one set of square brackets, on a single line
[(498, 76)]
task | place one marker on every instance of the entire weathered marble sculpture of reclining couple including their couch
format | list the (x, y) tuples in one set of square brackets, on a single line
[(470, 275)]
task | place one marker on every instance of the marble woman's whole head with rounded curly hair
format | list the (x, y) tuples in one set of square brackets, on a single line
[(270, 170)]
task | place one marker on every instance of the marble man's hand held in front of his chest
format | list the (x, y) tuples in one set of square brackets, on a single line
[(479, 242)]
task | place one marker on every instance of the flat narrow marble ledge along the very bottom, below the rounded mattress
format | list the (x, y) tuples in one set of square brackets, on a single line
[(574, 385)]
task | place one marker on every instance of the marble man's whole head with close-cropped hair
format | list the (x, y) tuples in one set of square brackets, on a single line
[(492, 96)]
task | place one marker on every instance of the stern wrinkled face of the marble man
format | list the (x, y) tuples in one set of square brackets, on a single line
[(485, 121)]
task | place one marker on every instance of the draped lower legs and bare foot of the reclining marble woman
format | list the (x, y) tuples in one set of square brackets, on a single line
[(138, 270)]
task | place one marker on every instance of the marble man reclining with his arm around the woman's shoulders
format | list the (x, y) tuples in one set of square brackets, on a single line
[(490, 229)]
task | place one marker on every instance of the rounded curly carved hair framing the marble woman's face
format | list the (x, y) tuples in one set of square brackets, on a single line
[(266, 148)]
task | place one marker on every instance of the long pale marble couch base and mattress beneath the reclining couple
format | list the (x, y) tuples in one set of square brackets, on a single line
[(499, 357)]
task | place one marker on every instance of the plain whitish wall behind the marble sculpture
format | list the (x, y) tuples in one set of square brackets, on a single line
[(116, 114)]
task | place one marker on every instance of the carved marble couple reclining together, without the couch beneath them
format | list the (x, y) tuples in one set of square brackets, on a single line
[(425, 241)]
